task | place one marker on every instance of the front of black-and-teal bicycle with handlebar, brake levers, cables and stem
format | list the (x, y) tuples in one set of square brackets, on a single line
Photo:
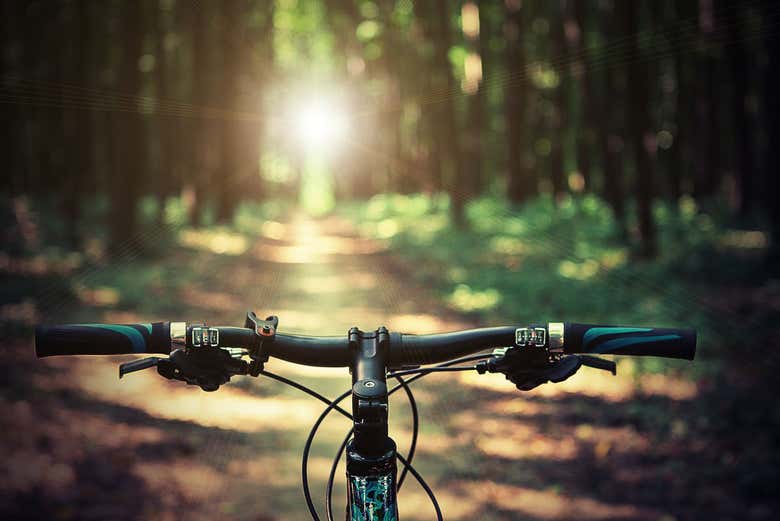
[(209, 357)]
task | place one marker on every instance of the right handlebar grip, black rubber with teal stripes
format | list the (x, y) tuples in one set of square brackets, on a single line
[(637, 341)]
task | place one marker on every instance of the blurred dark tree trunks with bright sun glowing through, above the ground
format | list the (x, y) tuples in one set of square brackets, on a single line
[(113, 105)]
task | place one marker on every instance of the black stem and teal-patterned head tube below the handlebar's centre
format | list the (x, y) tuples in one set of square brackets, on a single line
[(371, 454)]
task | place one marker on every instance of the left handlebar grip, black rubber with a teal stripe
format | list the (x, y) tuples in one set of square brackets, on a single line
[(102, 339)]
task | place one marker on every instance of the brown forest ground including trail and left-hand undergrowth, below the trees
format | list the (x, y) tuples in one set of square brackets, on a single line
[(79, 444)]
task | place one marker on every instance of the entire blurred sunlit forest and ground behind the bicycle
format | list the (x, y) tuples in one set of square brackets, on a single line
[(428, 166)]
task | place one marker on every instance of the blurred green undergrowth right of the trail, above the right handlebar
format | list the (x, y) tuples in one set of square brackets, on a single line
[(565, 261)]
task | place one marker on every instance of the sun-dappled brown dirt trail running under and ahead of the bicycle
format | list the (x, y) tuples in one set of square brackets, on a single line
[(580, 449)]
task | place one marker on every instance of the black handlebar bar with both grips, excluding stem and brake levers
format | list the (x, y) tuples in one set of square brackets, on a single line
[(405, 349)]
